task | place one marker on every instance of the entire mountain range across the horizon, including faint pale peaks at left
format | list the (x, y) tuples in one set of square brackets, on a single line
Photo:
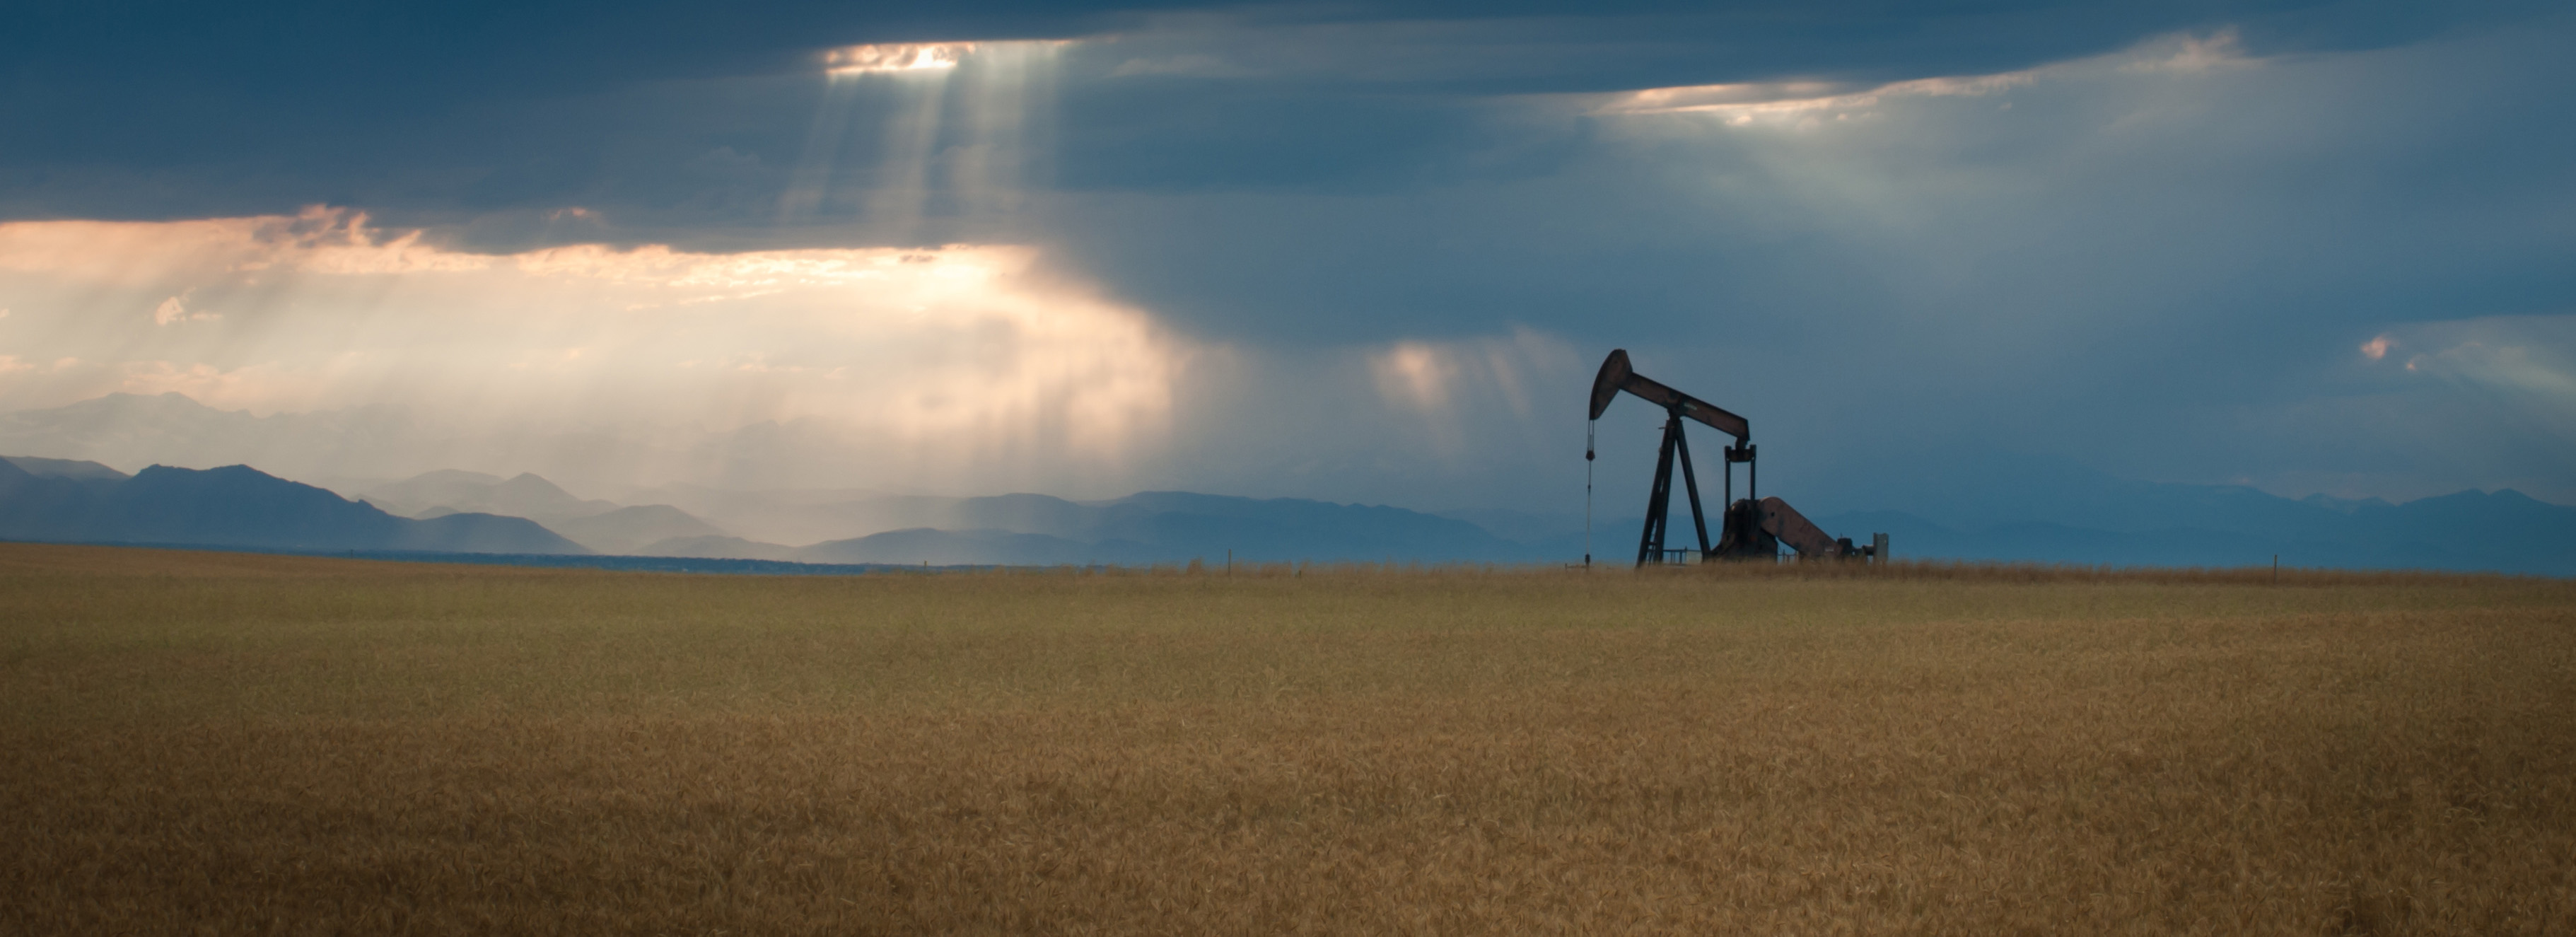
[(2031, 511)]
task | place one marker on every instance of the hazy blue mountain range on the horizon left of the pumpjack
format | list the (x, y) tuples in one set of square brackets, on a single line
[(465, 514)]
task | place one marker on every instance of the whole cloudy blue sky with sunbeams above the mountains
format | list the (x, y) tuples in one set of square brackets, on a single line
[(1361, 254)]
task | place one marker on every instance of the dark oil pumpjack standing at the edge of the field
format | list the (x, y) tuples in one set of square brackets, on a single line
[(1753, 526)]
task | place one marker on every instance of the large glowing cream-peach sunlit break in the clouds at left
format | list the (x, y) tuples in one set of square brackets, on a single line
[(947, 359)]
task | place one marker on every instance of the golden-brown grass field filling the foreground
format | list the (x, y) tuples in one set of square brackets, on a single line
[(225, 743)]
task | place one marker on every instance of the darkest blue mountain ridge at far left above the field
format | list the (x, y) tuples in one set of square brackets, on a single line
[(241, 506)]
